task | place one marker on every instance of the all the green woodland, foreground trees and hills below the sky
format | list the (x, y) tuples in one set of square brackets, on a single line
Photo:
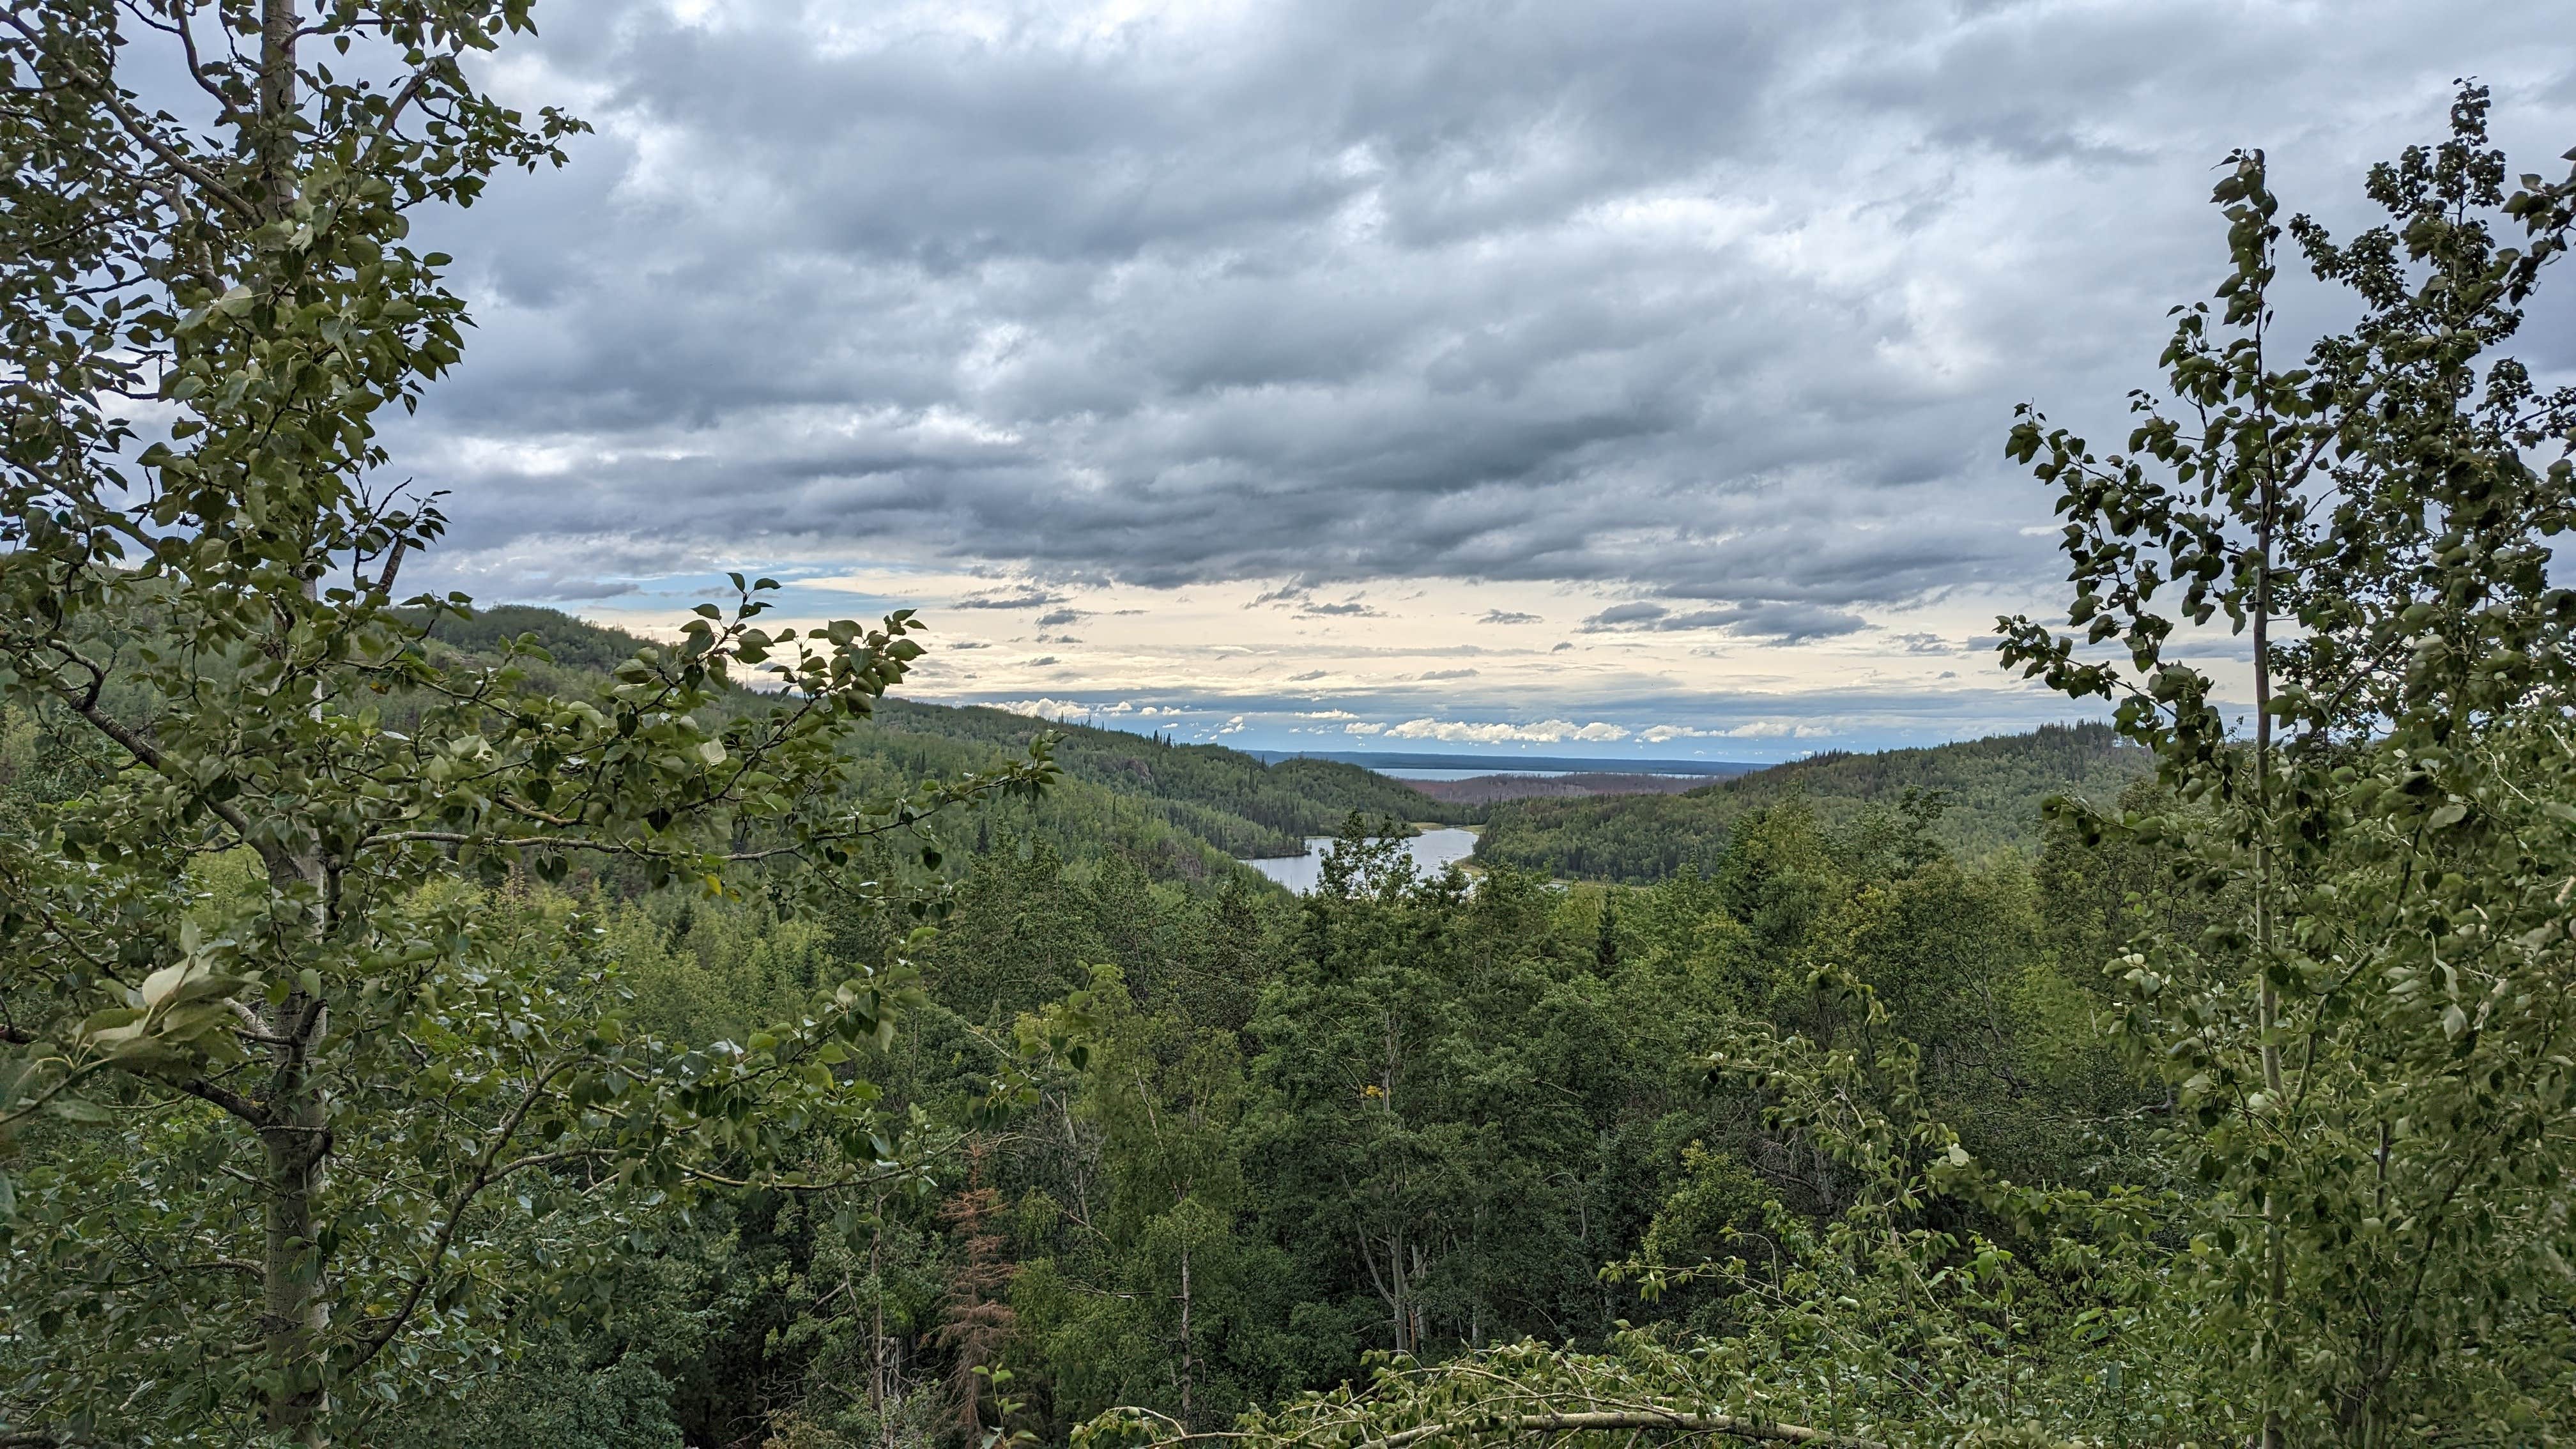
[(442, 1025)]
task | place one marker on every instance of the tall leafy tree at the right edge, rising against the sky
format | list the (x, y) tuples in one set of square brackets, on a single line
[(2371, 1045)]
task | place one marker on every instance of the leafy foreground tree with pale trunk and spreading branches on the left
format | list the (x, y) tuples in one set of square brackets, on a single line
[(313, 1097)]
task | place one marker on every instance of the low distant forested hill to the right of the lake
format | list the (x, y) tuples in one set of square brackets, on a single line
[(1993, 793)]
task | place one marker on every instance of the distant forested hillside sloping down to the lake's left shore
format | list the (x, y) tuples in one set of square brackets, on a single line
[(1171, 806)]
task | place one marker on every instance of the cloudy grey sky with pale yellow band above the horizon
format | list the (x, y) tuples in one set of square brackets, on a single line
[(1591, 380)]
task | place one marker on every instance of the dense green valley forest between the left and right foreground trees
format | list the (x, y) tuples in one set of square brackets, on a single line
[(1400, 1115)]
